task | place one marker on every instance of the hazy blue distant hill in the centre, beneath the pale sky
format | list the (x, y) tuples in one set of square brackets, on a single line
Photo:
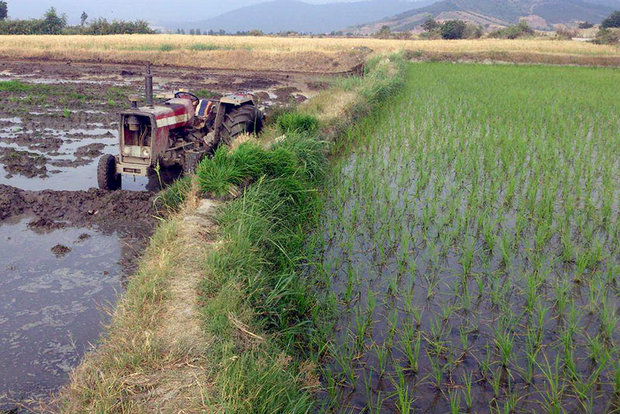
[(292, 15)]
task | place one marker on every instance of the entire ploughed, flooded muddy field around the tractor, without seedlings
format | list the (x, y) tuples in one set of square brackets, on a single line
[(68, 247)]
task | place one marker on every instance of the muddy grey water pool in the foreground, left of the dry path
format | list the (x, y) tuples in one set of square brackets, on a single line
[(52, 302)]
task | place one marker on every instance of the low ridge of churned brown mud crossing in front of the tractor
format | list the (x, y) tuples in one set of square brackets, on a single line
[(124, 211)]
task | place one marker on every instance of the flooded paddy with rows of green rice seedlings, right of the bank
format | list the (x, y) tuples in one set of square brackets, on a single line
[(470, 245)]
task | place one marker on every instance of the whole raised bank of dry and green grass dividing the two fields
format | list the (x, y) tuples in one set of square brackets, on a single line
[(222, 316)]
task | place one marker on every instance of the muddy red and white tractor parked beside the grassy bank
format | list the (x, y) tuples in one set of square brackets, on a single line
[(178, 131)]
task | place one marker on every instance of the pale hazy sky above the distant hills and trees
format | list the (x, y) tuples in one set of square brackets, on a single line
[(151, 10)]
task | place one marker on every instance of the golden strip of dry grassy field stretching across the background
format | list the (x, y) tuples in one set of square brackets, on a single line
[(323, 55)]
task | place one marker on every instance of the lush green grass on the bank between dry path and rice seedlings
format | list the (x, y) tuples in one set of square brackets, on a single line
[(256, 273)]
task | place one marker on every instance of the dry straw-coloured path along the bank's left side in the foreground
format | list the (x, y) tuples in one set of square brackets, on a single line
[(172, 348)]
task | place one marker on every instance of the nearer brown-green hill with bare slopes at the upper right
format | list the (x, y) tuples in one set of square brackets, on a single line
[(541, 14)]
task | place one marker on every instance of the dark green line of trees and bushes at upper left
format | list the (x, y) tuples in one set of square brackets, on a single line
[(54, 23)]
